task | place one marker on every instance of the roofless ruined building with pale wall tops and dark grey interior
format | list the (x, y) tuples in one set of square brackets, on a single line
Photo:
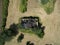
[(29, 22)]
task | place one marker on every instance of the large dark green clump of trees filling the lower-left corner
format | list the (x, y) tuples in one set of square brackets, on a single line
[(8, 34)]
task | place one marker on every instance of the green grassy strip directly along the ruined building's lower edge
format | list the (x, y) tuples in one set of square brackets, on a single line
[(37, 32)]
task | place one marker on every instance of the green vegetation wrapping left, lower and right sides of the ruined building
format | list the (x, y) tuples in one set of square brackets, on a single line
[(39, 31)]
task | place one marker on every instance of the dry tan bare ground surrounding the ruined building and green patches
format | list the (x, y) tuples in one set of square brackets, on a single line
[(51, 22)]
